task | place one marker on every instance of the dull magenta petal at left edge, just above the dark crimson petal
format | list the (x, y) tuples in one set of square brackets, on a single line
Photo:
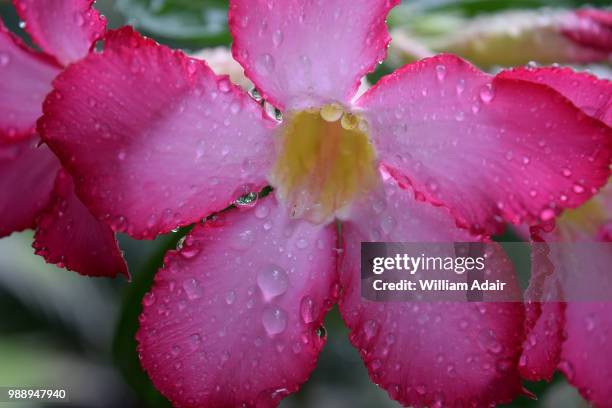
[(27, 173)]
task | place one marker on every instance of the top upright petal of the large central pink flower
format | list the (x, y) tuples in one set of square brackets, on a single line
[(301, 53)]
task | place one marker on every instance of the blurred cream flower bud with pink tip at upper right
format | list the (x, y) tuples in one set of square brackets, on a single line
[(515, 37)]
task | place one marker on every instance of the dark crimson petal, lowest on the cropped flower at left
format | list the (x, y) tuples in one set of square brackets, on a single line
[(69, 236)]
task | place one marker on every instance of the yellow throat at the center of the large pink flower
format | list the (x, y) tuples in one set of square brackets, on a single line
[(324, 161)]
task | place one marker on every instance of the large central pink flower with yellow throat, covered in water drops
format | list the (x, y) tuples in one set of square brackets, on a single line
[(155, 140)]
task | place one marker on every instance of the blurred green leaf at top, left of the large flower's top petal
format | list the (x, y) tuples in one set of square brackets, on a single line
[(194, 23)]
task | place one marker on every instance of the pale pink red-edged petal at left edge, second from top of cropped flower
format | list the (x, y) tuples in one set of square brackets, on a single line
[(26, 80)]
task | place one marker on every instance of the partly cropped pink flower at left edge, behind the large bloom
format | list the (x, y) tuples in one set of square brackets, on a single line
[(36, 192)]
